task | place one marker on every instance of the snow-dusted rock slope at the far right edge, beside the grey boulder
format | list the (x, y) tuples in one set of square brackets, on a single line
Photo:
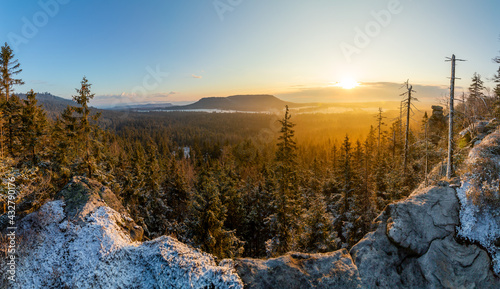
[(479, 218)]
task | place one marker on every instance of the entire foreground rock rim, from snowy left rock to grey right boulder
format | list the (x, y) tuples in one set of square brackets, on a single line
[(86, 240)]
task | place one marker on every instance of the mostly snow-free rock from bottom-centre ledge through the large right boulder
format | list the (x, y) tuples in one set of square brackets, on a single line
[(413, 246)]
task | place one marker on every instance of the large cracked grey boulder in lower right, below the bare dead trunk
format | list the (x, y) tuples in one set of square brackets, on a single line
[(414, 246)]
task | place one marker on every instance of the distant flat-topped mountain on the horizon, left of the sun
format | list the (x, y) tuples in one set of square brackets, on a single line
[(259, 102)]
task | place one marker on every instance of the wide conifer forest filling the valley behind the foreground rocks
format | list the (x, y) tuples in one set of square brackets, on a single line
[(234, 184)]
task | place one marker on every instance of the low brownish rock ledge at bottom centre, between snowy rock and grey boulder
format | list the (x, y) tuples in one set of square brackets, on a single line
[(298, 271)]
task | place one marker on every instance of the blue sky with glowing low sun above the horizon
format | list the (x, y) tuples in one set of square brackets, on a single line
[(181, 51)]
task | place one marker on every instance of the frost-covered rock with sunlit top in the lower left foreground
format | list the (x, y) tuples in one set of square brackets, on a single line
[(81, 242)]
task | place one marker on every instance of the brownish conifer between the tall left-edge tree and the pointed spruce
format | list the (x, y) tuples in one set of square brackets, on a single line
[(33, 127)]
